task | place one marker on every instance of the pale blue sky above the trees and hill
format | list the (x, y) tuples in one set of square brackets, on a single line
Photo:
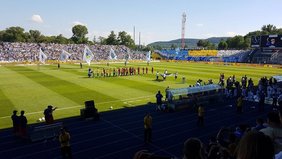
[(157, 20)]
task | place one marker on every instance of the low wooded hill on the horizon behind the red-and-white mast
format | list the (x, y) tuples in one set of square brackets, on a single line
[(191, 43)]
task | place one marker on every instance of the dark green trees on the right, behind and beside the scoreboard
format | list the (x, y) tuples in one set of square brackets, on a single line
[(240, 42)]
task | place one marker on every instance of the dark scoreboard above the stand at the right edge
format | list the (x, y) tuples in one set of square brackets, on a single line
[(267, 41)]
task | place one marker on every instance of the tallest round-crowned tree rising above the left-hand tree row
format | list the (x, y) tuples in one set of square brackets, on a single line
[(79, 33)]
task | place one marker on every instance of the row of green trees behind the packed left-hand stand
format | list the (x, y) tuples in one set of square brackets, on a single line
[(18, 34)]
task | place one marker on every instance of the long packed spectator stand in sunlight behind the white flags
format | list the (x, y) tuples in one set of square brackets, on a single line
[(21, 52)]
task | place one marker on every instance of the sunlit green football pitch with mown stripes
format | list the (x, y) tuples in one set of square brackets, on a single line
[(32, 88)]
